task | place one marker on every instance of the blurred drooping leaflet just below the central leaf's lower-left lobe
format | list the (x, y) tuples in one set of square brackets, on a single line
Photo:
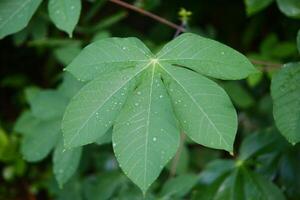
[(65, 162)]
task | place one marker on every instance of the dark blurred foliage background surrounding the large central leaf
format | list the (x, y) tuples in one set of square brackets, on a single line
[(35, 47)]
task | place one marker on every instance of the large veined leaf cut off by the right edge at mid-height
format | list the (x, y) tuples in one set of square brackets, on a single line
[(285, 91)]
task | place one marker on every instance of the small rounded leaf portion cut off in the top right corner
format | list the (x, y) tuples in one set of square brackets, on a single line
[(290, 8)]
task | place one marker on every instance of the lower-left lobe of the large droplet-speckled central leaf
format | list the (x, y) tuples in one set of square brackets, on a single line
[(95, 107)]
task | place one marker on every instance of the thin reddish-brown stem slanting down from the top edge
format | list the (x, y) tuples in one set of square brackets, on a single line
[(148, 14)]
